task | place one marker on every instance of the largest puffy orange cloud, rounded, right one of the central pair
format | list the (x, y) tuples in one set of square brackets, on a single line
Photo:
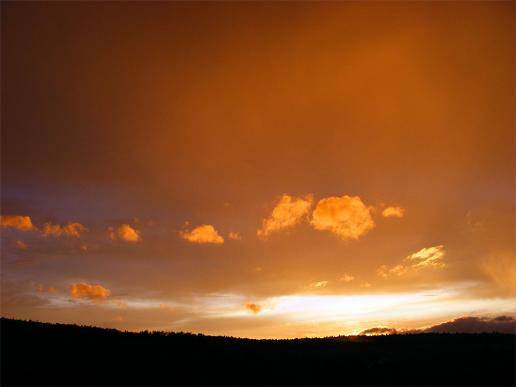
[(346, 216)]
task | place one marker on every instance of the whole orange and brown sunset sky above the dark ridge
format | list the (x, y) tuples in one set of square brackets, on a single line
[(263, 170)]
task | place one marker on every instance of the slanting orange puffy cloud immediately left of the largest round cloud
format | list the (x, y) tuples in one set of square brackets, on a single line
[(288, 212)]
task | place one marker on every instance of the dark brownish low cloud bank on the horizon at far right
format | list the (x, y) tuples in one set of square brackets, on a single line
[(500, 324)]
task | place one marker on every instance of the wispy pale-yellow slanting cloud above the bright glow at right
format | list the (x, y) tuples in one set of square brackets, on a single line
[(426, 257)]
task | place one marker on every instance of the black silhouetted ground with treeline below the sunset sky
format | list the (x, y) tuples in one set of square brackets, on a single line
[(54, 354)]
